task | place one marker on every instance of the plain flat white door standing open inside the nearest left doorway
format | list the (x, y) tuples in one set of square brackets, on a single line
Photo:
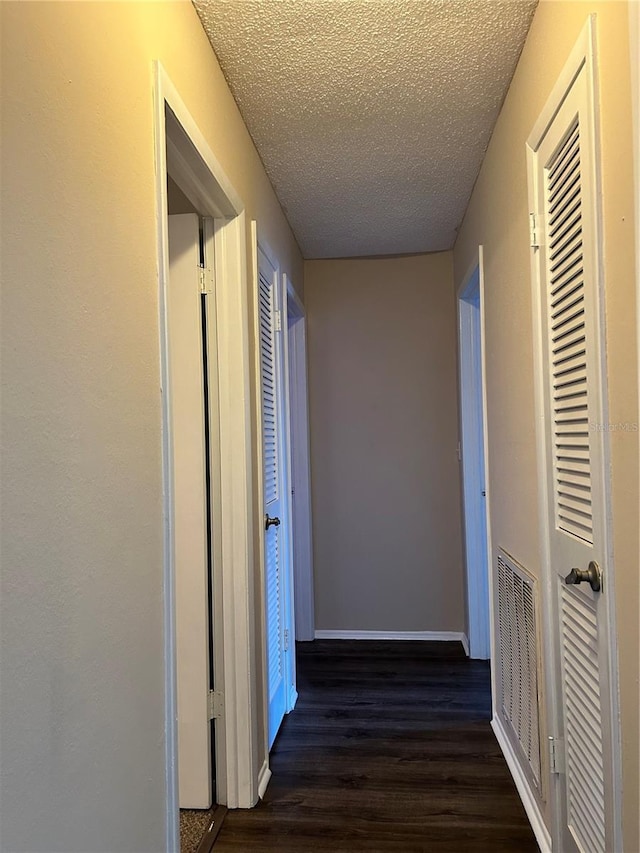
[(190, 512)]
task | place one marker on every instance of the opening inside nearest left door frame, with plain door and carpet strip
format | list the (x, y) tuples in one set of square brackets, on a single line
[(191, 263)]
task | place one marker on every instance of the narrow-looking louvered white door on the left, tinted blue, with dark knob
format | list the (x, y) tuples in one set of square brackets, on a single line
[(274, 507)]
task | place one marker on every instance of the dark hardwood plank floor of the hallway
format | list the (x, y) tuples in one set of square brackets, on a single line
[(389, 749)]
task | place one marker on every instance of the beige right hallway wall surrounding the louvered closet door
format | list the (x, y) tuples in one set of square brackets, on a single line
[(497, 218)]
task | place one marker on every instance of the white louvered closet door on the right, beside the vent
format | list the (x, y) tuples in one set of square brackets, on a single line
[(574, 382)]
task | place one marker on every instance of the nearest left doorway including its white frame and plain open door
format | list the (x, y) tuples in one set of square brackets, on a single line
[(205, 318)]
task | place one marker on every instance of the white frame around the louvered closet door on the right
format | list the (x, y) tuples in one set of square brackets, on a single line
[(582, 55)]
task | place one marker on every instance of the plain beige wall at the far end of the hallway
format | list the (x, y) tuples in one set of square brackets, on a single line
[(383, 411)]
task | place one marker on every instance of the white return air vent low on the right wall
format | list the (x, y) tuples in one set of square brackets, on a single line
[(518, 660)]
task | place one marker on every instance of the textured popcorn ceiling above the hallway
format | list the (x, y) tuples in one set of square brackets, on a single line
[(371, 116)]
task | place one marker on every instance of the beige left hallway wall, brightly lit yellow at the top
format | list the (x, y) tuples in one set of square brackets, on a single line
[(82, 690)]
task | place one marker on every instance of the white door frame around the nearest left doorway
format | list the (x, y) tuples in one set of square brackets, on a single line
[(180, 145)]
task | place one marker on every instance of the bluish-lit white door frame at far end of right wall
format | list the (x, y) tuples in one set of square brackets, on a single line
[(475, 460)]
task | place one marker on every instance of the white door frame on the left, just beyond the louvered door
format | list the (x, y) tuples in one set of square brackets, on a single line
[(300, 465)]
